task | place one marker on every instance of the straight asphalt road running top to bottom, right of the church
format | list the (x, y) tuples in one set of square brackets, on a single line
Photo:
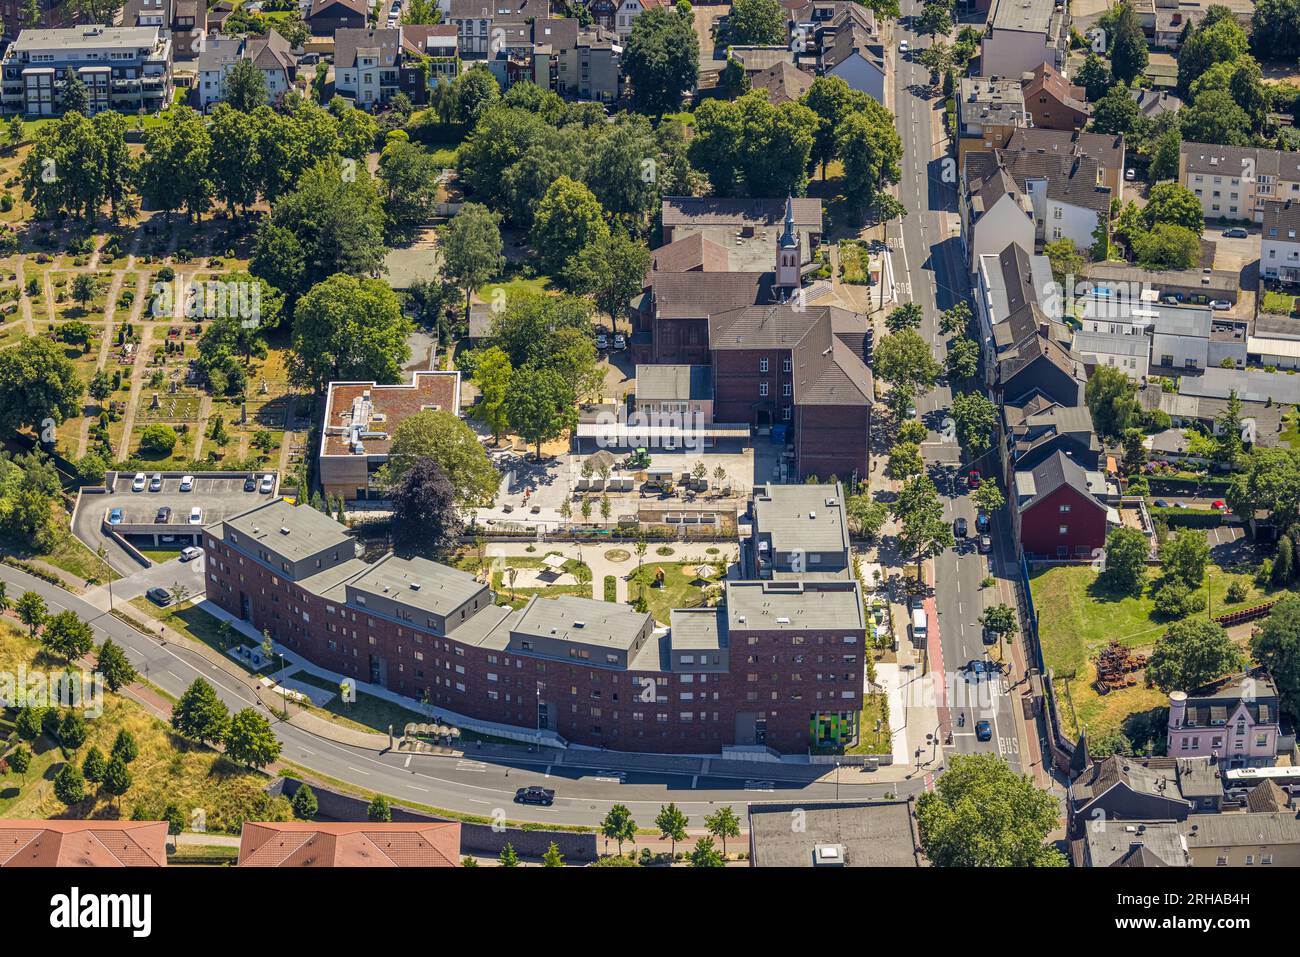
[(930, 267)]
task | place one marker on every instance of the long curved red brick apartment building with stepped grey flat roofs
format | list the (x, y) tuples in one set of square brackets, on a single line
[(781, 664)]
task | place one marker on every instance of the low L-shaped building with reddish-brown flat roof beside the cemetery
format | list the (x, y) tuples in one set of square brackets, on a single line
[(359, 422)]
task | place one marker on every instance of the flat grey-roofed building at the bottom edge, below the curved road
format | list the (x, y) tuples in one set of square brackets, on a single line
[(851, 834)]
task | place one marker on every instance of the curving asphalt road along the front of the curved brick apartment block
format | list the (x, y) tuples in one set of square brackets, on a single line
[(462, 785)]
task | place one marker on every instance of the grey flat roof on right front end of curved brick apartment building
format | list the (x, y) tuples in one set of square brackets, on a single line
[(795, 607)]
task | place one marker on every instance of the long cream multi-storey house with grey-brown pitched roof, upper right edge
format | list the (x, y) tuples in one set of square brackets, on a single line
[(1234, 183)]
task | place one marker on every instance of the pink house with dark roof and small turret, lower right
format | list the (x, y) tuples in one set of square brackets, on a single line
[(1236, 720)]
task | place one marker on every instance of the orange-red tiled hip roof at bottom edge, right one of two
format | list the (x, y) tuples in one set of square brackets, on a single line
[(350, 845)]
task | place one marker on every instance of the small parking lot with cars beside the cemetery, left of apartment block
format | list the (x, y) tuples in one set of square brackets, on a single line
[(142, 519)]
